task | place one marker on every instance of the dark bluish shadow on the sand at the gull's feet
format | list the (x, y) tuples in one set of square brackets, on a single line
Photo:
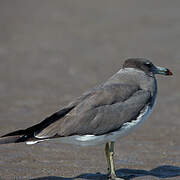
[(166, 171)]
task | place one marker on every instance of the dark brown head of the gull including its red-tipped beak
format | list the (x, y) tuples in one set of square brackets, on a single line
[(146, 65)]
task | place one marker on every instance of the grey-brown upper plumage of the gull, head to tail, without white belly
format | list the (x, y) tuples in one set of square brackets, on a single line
[(102, 110)]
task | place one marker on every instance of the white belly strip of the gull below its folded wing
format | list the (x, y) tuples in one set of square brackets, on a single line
[(89, 140)]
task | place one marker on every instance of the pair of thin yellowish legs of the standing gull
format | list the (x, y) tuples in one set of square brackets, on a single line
[(109, 149)]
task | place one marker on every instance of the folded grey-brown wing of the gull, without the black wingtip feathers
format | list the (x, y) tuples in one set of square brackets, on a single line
[(99, 111)]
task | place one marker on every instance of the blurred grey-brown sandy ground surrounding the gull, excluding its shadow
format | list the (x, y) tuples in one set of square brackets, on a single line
[(52, 51)]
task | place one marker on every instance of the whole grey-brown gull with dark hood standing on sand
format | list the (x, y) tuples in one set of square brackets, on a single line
[(102, 114)]
